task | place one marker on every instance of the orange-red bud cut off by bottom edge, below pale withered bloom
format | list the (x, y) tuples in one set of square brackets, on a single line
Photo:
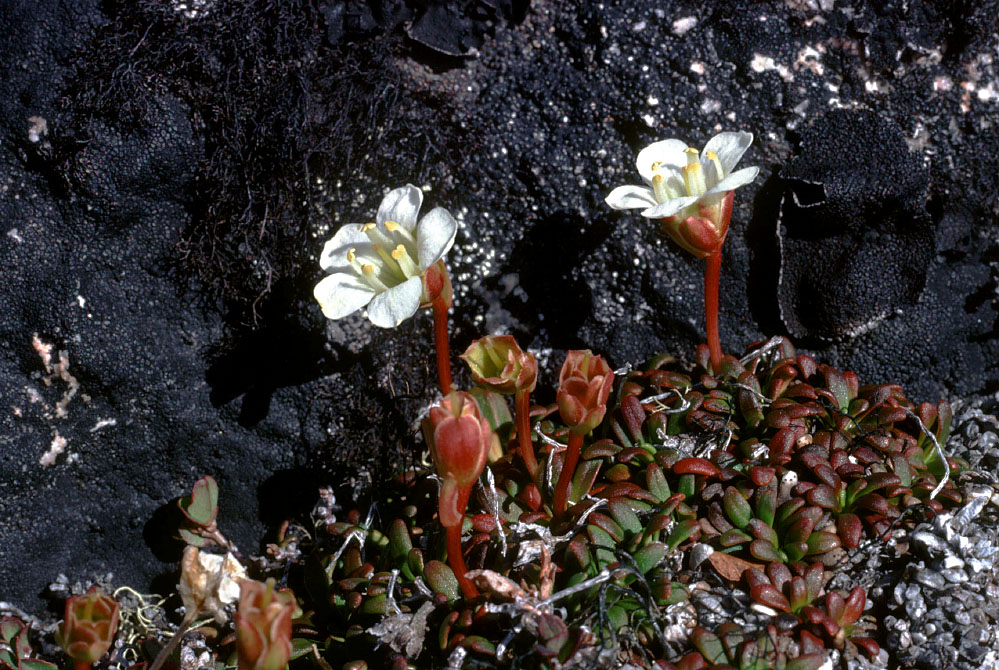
[(263, 626)]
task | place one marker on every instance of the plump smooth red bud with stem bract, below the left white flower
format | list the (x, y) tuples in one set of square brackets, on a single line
[(459, 441)]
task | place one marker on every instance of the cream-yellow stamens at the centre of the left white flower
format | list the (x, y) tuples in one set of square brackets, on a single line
[(393, 260)]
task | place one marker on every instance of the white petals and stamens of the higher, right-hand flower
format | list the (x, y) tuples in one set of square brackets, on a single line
[(679, 180)]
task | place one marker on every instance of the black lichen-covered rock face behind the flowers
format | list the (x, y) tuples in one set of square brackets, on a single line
[(163, 228)]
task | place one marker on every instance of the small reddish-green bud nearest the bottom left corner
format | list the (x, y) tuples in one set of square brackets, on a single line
[(89, 626)]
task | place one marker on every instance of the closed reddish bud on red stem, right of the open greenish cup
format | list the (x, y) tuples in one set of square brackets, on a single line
[(584, 386)]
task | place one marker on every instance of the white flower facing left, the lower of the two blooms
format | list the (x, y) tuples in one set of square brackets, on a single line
[(382, 265)]
